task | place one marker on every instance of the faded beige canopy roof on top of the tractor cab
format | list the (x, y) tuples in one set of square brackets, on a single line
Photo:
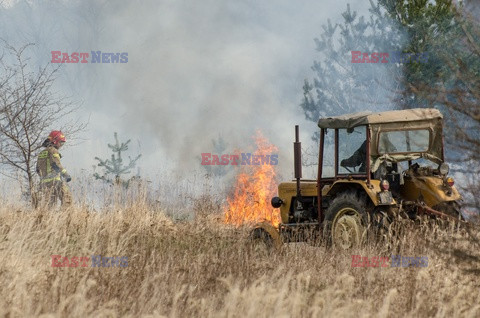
[(388, 117)]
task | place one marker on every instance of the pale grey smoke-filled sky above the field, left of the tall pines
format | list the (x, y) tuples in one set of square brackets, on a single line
[(195, 70)]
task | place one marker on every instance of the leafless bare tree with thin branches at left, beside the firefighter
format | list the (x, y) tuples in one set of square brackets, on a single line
[(29, 109)]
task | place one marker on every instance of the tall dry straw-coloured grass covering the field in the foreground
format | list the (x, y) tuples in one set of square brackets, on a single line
[(203, 268)]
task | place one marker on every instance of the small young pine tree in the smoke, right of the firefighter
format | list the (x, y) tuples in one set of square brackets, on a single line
[(114, 167)]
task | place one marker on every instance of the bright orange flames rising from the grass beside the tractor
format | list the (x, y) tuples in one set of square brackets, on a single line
[(254, 188)]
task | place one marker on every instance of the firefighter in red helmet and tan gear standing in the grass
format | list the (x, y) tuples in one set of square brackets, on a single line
[(52, 174)]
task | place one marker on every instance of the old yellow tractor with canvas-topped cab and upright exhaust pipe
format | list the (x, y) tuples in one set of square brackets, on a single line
[(371, 167)]
